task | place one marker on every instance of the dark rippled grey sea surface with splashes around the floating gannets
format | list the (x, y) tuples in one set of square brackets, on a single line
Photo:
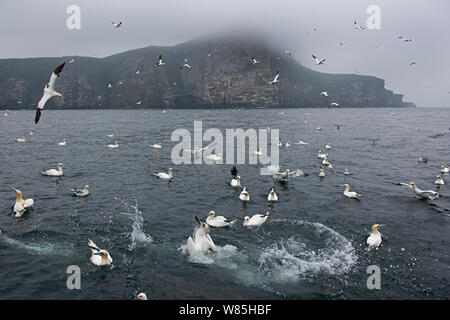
[(311, 247)]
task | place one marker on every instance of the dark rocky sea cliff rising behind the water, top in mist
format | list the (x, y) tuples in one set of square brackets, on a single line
[(222, 75)]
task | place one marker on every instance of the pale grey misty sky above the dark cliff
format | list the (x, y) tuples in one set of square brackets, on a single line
[(32, 28)]
